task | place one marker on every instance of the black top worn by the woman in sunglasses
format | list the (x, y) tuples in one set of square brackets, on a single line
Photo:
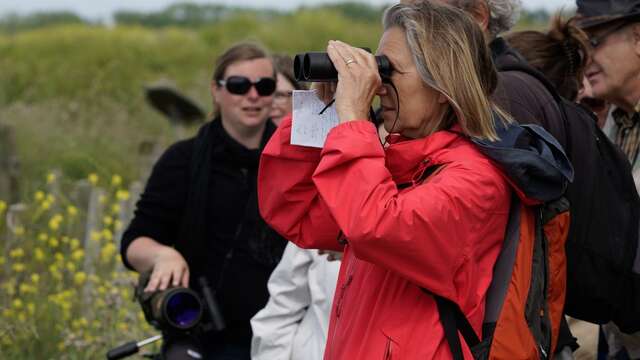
[(227, 257)]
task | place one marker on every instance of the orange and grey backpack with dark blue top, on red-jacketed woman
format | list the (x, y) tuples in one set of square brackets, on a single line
[(525, 301)]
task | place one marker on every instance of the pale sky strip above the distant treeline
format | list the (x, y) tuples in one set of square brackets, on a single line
[(101, 9)]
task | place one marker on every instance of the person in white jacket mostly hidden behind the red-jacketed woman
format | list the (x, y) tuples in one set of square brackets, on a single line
[(294, 323)]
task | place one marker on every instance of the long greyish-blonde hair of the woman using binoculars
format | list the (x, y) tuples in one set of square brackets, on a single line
[(452, 57)]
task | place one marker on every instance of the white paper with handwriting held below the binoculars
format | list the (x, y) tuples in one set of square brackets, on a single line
[(309, 128)]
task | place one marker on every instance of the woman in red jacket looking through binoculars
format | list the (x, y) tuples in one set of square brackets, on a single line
[(427, 211)]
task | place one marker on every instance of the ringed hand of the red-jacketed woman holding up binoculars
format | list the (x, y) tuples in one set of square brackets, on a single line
[(358, 80)]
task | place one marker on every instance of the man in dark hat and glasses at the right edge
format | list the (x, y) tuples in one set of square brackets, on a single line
[(613, 28)]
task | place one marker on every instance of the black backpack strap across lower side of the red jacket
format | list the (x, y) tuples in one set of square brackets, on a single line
[(453, 320)]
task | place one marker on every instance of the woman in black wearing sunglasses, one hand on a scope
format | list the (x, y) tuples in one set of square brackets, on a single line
[(198, 216)]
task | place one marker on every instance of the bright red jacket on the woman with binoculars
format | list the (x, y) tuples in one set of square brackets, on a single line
[(443, 235)]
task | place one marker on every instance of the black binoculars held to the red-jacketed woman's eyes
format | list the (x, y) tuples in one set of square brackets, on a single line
[(317, 67)]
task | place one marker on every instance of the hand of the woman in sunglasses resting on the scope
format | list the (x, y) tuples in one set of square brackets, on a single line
[(169, 269)]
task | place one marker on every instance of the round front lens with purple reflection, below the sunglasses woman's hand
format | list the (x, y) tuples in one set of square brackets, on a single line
[(179, 308)]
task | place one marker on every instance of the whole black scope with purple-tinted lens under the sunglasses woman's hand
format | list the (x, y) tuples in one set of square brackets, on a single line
[(179, 310)]
